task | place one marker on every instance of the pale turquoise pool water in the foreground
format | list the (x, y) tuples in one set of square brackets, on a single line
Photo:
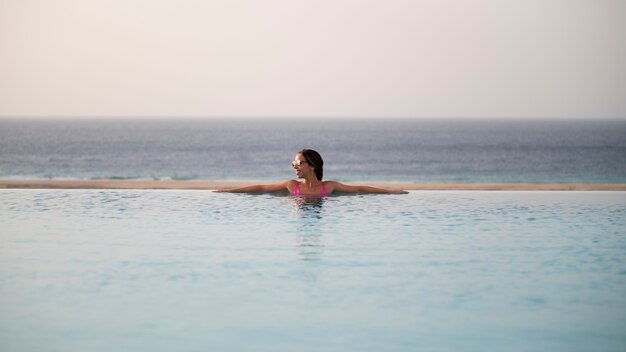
[(110, 270)]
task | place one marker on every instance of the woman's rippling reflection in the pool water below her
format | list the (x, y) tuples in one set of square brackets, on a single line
[(309, 227)]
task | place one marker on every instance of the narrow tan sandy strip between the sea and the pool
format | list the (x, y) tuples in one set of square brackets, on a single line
[(218, 184)]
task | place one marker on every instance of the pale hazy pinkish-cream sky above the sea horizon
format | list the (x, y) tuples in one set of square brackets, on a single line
[(293, 58)]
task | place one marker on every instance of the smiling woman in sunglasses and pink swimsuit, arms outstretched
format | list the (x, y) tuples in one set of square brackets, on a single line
[(309, 166)]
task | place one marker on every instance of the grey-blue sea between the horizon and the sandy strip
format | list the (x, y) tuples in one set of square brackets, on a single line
[(354, 150)]
